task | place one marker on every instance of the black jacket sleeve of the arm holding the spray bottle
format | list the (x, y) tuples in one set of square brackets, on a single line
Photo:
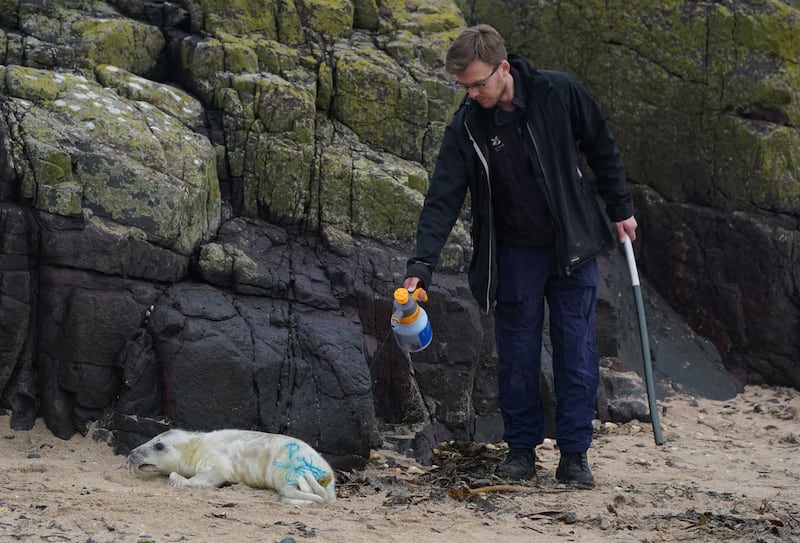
[(446, 193)]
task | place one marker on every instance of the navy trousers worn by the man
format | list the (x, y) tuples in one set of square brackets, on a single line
[(526, 279)]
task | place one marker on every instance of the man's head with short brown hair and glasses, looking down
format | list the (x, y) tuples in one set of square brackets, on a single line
[(478, 59)]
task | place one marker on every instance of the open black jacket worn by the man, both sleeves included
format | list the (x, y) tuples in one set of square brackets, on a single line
[(563, 120)]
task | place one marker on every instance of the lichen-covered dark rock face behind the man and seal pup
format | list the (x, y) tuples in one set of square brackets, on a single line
[(204, 211)]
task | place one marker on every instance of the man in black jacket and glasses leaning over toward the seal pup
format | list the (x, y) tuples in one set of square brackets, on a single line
[(514, 144)]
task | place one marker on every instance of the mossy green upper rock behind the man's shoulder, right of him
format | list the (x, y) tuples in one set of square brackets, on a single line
[(700, 96)]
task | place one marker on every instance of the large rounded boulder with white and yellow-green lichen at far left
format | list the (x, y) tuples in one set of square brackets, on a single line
[(87, 151)]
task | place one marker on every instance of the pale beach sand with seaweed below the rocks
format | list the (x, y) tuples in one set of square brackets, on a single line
[(728, 471)]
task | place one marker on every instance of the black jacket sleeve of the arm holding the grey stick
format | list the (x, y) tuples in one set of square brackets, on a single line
[(596, 142)]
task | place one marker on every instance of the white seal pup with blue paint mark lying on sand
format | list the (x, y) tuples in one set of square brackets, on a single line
[(257, 459)]
